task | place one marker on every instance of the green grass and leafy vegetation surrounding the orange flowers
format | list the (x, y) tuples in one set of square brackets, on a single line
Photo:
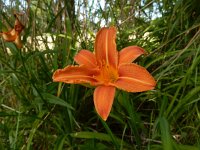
[(36, 113)]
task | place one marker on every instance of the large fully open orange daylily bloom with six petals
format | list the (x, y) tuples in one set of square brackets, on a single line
[(107, 69)]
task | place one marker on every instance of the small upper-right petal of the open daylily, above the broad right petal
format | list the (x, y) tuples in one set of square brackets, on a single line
[(129, 54)]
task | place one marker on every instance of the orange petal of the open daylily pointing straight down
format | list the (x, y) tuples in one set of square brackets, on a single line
[(103, 100)]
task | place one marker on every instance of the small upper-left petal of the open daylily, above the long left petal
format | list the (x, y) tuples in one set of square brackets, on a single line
[(87, 58)]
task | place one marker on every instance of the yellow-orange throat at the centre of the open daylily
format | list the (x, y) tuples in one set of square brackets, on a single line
[(107, 74)]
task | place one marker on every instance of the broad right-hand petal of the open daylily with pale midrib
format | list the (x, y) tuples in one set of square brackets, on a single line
[(134, 78)]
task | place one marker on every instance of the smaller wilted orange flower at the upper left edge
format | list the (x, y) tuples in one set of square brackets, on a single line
[(14, 34)]
